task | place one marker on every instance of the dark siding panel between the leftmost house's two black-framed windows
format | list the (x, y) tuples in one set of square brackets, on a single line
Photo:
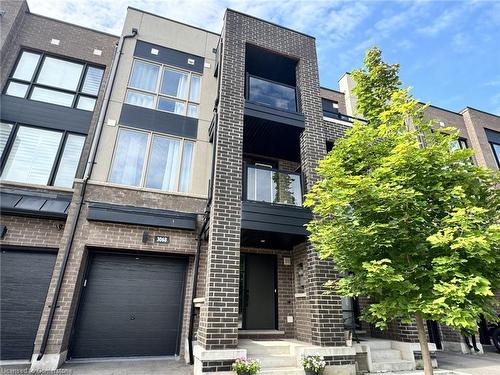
[(46, 115)]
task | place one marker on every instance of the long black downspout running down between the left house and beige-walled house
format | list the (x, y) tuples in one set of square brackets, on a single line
[(86, 176)]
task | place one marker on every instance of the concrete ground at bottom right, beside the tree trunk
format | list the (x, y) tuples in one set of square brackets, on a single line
[(487, 364)]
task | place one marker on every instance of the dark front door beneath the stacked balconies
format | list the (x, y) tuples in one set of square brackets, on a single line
[(258, 292)]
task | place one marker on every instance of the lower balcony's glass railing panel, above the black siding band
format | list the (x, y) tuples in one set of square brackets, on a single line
[(265, 184)]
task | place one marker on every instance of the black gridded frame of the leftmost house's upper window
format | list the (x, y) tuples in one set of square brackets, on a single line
[(33, 84)]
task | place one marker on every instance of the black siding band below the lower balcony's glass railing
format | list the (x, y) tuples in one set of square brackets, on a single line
[(274, 218)]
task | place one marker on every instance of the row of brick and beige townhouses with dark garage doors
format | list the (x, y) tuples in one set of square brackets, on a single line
[(151, 192)]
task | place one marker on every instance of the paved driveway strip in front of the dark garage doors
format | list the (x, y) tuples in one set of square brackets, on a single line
[(126, 367)]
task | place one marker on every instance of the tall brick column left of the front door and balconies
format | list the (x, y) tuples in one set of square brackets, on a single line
[(218, 328)]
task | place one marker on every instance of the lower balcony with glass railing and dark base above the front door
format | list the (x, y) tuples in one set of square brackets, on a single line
[(272, 212)]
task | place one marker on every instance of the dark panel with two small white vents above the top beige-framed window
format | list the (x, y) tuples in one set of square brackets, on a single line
[(169, 56)]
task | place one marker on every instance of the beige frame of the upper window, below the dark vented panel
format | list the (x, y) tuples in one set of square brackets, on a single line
[(157, 94)]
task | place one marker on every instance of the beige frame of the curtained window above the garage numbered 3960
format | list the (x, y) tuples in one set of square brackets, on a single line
[(147, 158)]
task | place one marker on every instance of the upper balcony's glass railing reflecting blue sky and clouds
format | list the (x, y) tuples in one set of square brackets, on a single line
[(272, 94)]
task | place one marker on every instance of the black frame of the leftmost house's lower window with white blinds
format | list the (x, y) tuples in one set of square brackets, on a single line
[(57, 160)]
